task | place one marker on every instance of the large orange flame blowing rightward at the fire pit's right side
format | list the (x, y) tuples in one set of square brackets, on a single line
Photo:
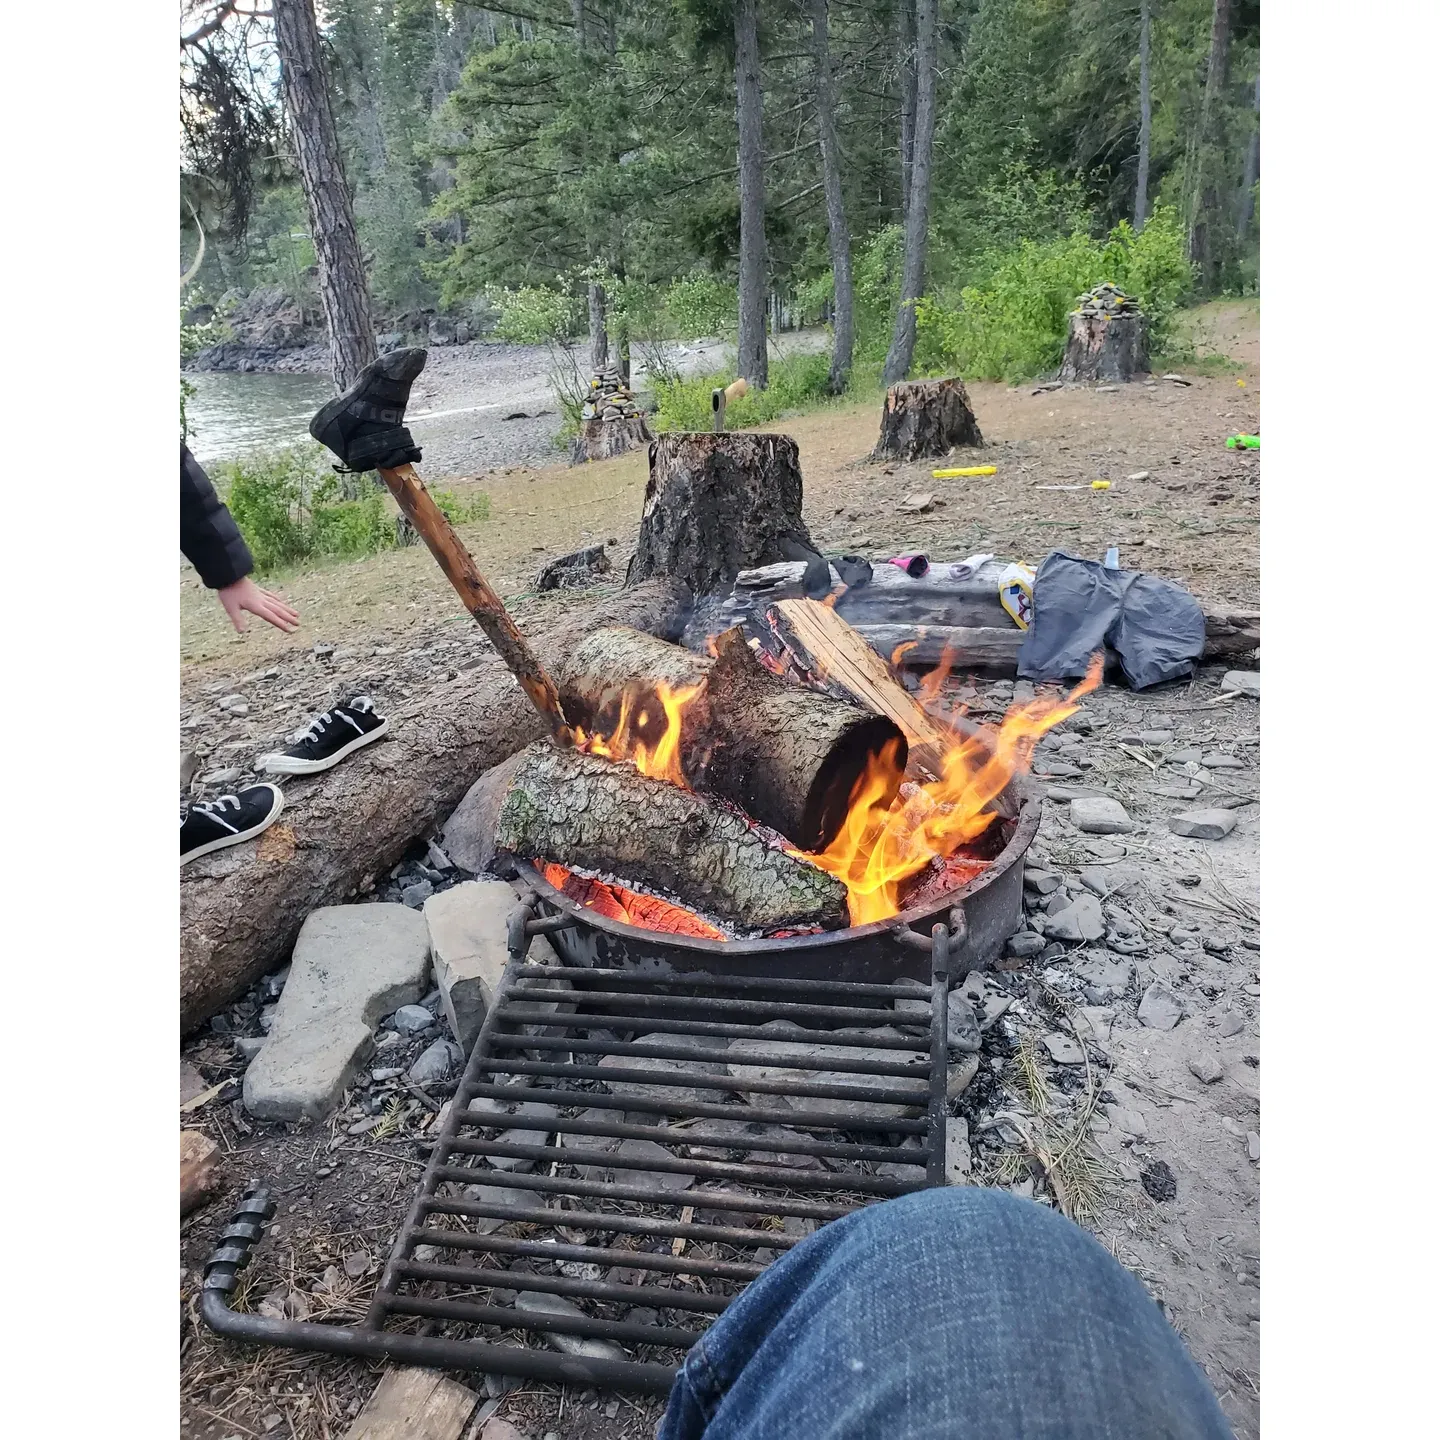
[(882, 847)]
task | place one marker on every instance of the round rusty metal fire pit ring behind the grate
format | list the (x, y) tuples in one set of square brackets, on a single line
[(882, 951)]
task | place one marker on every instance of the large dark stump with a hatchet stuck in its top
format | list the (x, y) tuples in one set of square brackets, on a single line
[(718, 505)]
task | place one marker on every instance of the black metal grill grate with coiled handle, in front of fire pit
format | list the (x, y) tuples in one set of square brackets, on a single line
[(682, 1133)]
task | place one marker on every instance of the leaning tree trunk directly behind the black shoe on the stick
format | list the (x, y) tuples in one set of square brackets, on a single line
[(343, 290)]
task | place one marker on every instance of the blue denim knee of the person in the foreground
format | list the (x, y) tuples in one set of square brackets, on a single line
[(957, 1313)]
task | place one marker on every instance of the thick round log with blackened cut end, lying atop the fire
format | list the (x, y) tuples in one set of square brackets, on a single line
[(787, 755)]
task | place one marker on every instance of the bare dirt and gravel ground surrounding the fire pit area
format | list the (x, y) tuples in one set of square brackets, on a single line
[(1189, 908)]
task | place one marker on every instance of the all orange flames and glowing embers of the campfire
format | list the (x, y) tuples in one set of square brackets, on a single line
[(906, 836)]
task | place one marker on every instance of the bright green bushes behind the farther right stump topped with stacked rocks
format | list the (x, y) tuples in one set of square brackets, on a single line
[(1013, 325)]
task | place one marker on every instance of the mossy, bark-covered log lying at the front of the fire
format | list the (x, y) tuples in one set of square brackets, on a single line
[(603, 816)]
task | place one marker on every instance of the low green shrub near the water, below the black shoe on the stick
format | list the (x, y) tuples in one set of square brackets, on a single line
[(292, 510)]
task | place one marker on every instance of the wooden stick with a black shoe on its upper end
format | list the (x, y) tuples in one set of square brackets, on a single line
[(365, 428)]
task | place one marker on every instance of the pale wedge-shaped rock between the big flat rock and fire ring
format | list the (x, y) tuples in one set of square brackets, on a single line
[(469, 940)]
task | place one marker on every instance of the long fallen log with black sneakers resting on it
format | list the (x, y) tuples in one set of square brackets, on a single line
[(243, 908)]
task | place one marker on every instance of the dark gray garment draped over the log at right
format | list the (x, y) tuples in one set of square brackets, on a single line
[(1157, 629)]
